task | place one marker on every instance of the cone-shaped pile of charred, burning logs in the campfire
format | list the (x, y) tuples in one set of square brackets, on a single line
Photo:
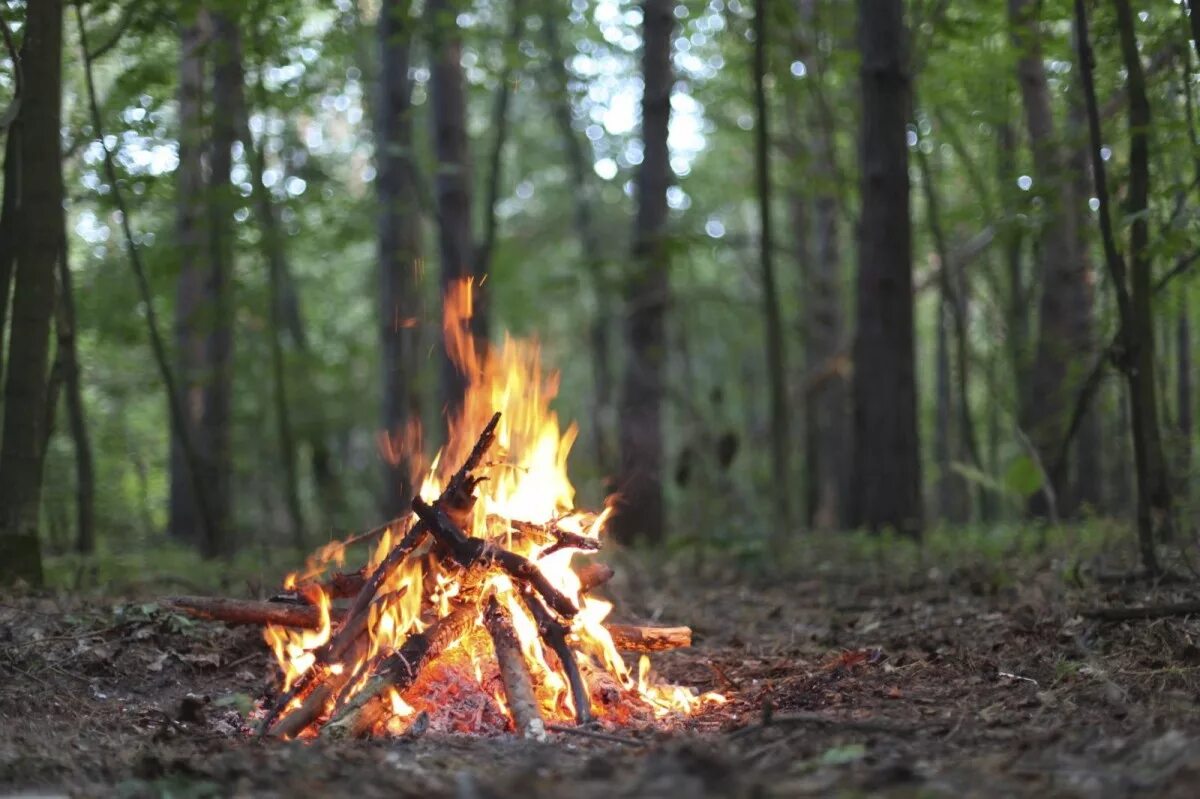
[(350, 682)]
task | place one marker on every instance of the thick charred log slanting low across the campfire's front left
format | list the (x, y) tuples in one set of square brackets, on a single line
[(399, 671)]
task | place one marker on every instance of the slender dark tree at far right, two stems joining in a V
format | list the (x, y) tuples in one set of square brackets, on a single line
[(1132, 281)]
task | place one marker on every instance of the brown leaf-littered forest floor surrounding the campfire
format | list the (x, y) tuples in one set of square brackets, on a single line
[(857, 675)]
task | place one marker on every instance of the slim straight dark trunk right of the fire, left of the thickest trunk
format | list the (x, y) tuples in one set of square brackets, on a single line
[(777, 359)]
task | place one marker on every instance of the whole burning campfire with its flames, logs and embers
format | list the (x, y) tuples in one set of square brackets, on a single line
[(471, 611)]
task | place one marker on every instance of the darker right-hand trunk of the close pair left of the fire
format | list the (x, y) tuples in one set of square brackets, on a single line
[(227, 109)]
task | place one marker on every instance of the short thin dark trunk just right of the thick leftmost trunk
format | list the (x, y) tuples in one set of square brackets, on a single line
[(69, 357)]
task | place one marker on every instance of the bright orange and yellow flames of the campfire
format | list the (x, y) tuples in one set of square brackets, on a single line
[(526, 482)]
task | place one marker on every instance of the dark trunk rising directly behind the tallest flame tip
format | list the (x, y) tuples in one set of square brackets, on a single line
[(455, 241)]
